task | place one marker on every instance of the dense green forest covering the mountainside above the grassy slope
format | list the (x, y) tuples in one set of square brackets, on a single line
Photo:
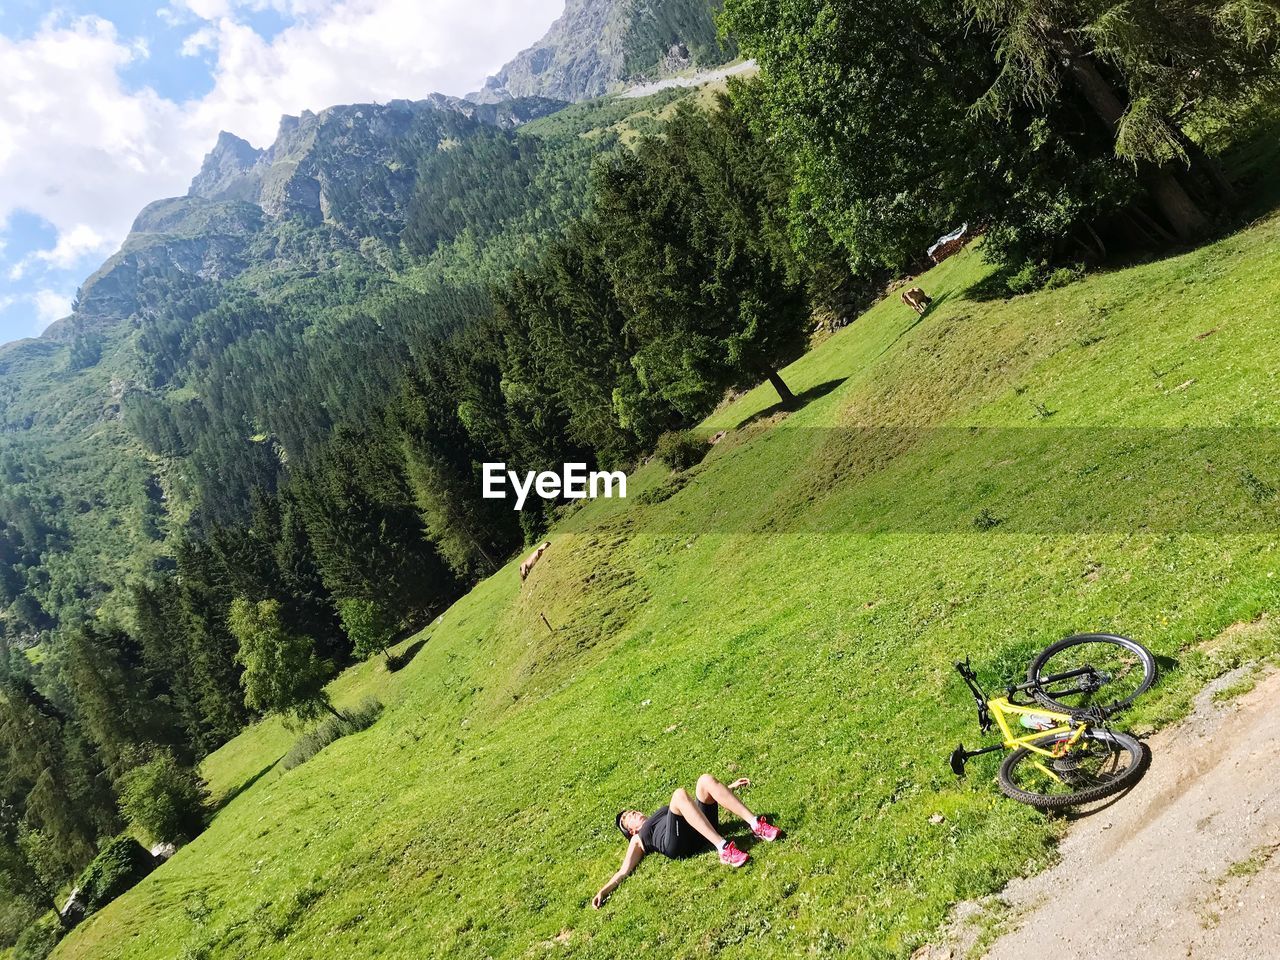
[(267, 474)]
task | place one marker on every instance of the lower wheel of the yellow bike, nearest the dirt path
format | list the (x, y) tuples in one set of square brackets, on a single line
[(1096, 766)]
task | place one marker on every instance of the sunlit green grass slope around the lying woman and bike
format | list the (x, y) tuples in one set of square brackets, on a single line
[(787, 612)]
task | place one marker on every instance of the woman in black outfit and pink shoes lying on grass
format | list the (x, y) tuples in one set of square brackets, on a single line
[(685, 828)]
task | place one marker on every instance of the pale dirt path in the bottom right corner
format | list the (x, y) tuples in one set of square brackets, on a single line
[(1182, 867)]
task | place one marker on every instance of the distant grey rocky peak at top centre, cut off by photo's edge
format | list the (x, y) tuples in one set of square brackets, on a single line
[(596, 45)]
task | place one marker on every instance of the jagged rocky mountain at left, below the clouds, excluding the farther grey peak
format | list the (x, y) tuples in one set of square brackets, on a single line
[(348, 172)]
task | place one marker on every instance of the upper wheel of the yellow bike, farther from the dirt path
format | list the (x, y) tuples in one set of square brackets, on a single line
[(1091, 671)]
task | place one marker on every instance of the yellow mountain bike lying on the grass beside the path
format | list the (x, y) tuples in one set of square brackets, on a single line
[(1068, 757)]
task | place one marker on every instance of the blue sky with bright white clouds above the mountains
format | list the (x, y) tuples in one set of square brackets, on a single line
[(111, 106)]
